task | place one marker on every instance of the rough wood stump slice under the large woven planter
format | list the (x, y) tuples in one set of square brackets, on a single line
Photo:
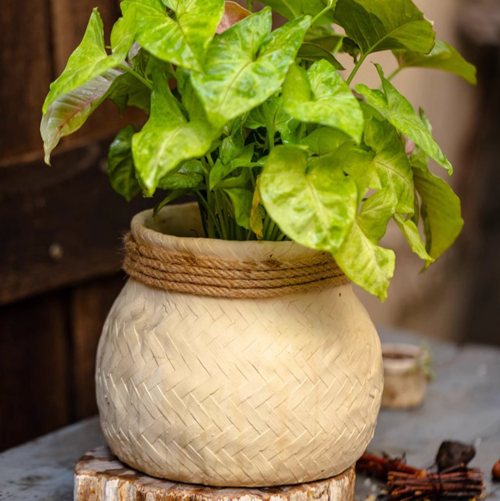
[(100, 476)]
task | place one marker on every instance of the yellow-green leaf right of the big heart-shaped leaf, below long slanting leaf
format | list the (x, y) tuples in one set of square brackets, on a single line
[(391, 163)]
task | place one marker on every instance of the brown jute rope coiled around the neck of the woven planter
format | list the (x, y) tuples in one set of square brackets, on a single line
[(209, 276)]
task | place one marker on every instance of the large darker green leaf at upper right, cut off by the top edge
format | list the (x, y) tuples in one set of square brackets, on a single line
[(377, 25)]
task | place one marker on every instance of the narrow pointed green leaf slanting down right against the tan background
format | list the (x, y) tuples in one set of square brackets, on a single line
[(400, 113)]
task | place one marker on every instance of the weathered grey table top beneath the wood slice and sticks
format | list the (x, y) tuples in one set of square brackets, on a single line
[(463, 403)]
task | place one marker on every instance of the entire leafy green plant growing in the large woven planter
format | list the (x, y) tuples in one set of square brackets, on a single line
[(262, 126)]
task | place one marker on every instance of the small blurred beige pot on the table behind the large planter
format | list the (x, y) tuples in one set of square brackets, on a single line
[(405, 380)]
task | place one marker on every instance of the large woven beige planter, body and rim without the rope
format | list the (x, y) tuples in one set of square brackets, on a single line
[(236, 392)]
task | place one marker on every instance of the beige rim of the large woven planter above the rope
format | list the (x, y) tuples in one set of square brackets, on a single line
[(177, 228)]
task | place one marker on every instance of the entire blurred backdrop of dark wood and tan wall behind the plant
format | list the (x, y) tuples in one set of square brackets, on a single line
[(60, 227)]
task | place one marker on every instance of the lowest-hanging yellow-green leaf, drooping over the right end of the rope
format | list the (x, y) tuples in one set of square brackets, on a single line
[(365, 263)]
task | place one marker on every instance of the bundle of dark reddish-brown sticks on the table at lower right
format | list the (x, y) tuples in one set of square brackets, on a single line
[(406, 483)]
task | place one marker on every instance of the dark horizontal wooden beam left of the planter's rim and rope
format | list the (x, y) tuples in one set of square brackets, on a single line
[(60, 224)]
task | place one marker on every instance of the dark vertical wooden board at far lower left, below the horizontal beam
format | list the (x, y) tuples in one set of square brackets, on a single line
[(34, 369)]
